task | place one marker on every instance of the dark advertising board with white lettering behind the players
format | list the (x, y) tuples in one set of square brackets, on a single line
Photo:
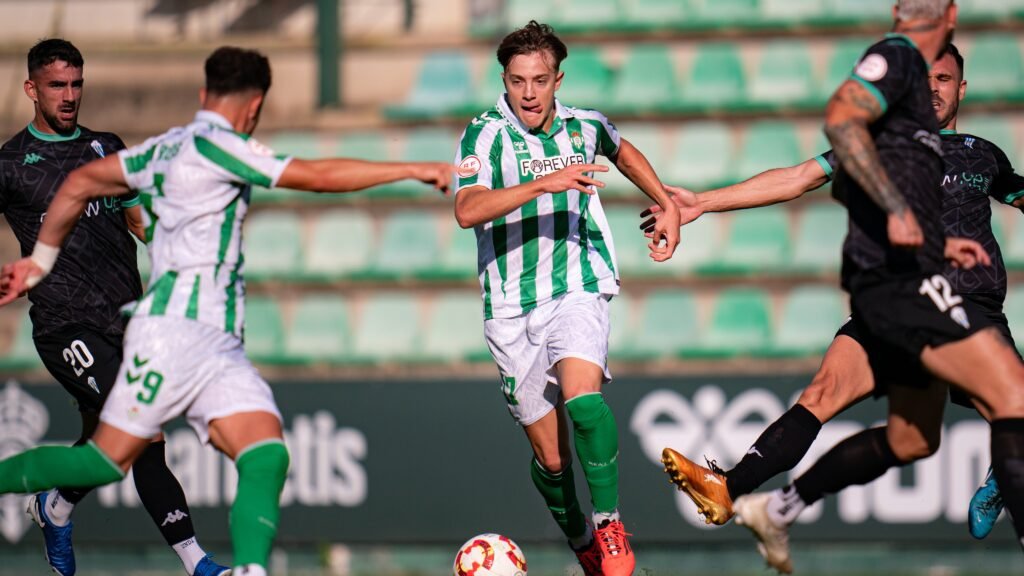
[(438, 462)]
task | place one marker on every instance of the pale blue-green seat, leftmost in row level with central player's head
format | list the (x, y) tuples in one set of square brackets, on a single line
[(444, 86)]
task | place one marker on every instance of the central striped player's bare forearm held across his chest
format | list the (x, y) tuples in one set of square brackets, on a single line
[(477, 205)]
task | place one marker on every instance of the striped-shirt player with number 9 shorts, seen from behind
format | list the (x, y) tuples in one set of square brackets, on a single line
[(184, 353)]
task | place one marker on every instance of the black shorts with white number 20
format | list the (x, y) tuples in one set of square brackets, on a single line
[(84, 362)]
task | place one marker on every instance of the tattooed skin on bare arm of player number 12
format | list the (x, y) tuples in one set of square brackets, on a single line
[(857, 152)]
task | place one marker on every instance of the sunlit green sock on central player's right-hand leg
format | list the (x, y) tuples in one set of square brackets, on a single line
[(598, 448)]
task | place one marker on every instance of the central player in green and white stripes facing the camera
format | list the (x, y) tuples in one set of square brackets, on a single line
[(547, 268)]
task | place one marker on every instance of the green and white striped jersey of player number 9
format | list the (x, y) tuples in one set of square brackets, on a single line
[(196, 183)]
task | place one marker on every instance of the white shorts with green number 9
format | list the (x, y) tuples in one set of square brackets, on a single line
[(174, 366)]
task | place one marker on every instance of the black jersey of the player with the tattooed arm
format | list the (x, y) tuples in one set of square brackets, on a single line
[(908, 141)]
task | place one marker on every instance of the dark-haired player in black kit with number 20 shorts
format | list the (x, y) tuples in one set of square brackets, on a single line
[(76, 313)]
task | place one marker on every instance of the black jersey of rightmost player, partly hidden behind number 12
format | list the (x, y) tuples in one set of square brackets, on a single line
[(975, 171)]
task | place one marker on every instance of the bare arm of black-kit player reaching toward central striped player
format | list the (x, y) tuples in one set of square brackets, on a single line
[(772, 187)]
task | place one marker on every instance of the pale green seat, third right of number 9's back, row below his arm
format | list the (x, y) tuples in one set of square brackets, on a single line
[(408, 245)]
